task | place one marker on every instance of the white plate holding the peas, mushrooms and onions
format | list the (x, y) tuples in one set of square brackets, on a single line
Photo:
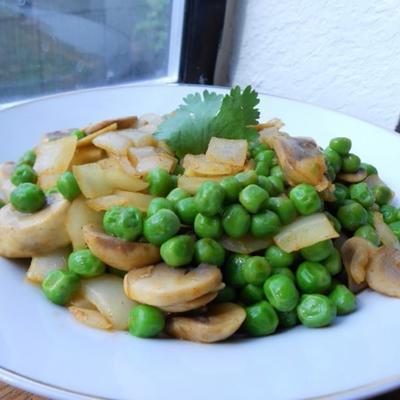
[(42, 349)]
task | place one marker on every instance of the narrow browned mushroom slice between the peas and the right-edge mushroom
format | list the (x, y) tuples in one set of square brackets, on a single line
[(356, 253)]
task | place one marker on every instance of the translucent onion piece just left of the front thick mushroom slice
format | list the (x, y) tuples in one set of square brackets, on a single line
[(106, 292)]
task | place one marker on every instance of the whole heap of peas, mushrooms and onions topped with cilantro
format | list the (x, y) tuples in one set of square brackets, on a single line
[(200, 224)]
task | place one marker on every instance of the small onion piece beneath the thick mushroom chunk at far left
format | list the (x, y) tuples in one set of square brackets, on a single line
[(41, 266)]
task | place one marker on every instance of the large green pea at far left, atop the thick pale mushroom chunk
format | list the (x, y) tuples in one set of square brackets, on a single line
[(28, 198)]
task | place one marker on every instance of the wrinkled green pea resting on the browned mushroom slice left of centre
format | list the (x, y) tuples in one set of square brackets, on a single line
[(123, 222)]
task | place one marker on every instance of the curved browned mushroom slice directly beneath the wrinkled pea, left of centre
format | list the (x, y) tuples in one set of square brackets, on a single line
[(119, 253)]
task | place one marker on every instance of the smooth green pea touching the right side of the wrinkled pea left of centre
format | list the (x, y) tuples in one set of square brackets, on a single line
[(161, 226)]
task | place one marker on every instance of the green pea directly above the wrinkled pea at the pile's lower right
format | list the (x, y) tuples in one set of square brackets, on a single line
[(313, 277)]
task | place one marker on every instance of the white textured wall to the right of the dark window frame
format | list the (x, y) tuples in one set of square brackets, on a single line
[(340, 54)]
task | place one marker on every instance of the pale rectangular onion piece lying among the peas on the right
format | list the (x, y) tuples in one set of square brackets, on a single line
[(304, 232)]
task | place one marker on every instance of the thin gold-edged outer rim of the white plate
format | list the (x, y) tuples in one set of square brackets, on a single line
[(41, 388)]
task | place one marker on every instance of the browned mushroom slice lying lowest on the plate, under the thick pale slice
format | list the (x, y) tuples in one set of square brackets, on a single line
[(218, 323)]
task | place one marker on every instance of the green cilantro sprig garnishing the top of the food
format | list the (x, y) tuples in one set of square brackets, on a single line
[(201, 117)]
